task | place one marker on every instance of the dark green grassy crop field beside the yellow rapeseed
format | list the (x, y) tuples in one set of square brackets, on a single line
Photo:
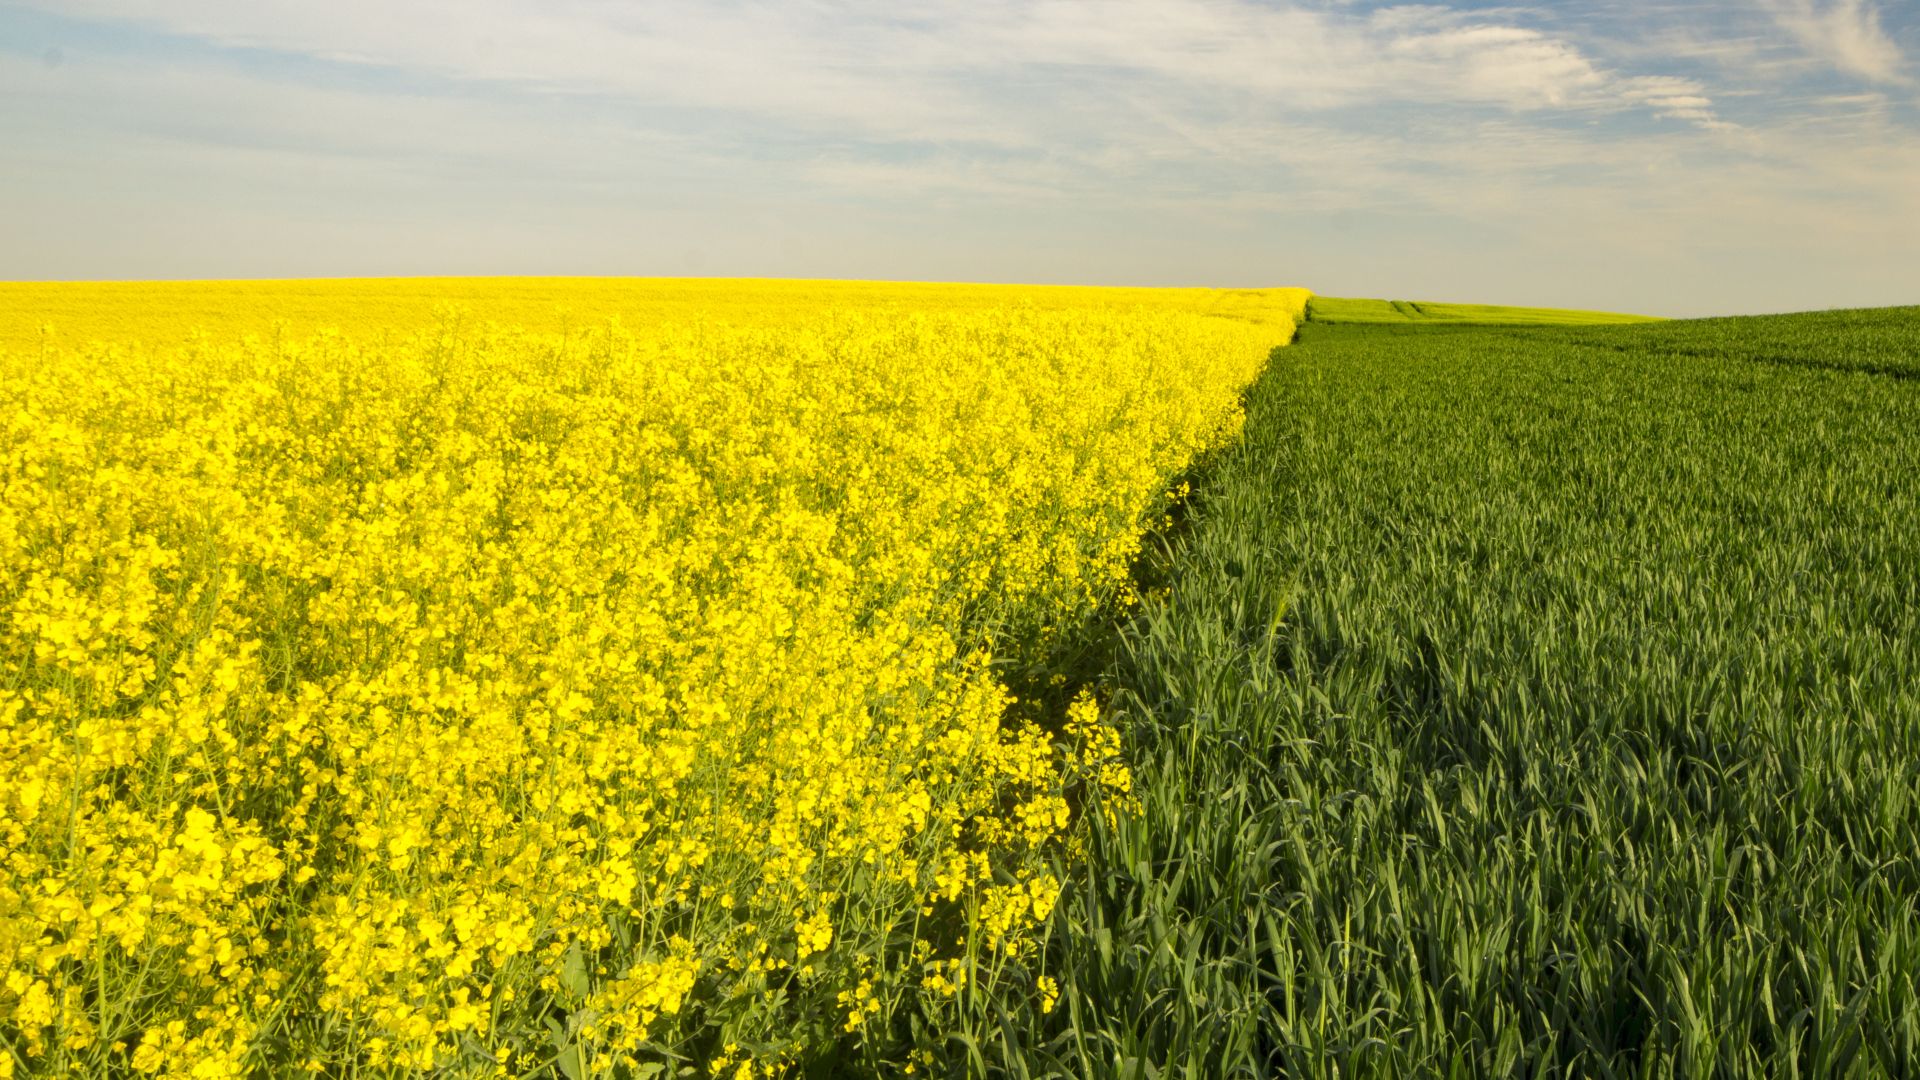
[(1524, 704)]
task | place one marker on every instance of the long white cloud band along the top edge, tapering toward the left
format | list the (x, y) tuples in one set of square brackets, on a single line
[(926, 70)]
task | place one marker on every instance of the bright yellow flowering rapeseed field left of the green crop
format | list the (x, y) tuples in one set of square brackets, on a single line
[(494, 675)]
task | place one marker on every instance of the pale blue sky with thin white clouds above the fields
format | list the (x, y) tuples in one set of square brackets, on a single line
[(1687, 159)]
